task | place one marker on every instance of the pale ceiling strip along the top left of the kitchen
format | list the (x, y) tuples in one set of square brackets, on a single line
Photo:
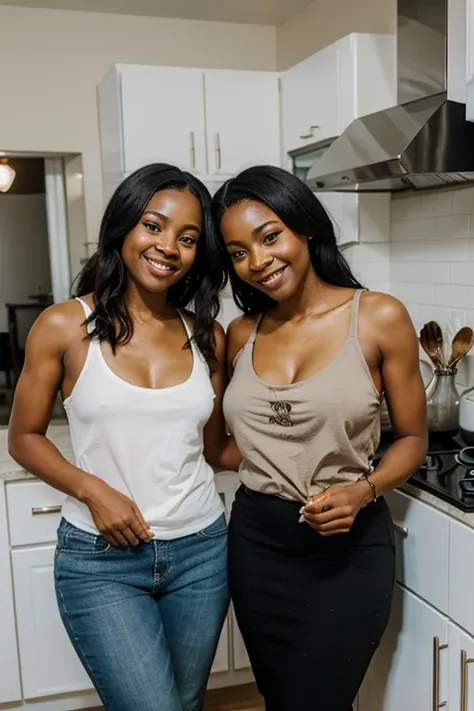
[(260, 12)]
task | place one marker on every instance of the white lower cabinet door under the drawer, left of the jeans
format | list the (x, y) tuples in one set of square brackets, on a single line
[(40, 628)]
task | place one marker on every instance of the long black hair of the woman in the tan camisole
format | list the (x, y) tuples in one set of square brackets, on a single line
[(294, 203)]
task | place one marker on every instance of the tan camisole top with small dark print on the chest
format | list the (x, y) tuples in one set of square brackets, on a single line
[(297, 439)]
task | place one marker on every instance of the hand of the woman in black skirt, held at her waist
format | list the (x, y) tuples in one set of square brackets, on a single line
[(333, 511)]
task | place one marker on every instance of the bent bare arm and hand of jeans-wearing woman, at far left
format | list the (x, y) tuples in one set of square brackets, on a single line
[(36, 391)]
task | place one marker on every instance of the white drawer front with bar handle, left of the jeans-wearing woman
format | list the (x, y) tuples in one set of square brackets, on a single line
[(34, 512)]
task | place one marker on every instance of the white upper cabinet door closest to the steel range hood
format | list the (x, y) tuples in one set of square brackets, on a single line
[(309, 98)]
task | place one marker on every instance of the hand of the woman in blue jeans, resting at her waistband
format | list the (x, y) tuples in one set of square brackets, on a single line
[(116, 516)]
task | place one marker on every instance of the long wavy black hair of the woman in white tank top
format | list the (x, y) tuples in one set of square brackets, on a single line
[(104, 274)]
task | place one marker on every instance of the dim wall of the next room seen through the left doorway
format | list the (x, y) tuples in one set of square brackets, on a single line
[(24, 254)]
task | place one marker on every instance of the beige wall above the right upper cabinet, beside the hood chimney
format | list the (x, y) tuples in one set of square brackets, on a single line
[(323, 22)]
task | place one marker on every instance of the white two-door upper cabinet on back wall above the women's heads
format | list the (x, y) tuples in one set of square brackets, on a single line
[(210, 123)]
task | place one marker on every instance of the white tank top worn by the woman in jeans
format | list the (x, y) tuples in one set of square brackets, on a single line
[(146, 443)]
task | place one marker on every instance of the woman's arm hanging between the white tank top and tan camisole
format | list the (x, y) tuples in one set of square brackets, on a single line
[(220, 448)]
